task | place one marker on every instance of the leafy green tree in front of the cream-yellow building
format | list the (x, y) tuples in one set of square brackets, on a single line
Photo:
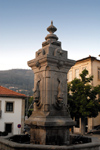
[(82, 98)]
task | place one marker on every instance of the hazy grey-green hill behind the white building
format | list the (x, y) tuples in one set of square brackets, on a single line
[(19, 80)]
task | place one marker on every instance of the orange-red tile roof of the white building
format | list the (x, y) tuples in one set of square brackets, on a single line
[(4, 92)]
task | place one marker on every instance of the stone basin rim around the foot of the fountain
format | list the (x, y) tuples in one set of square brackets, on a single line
[(5, 144)]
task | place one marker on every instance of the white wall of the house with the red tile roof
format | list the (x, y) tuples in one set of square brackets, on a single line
[(11, 117)]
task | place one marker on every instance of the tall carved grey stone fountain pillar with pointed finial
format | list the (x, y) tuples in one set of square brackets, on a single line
[(50, 120)]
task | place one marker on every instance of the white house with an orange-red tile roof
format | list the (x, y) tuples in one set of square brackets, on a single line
[(12, 110)]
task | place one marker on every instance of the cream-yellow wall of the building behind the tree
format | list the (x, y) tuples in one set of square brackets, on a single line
[(92, 66)]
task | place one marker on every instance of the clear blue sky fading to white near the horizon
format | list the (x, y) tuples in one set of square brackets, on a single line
[(23, 25)]
